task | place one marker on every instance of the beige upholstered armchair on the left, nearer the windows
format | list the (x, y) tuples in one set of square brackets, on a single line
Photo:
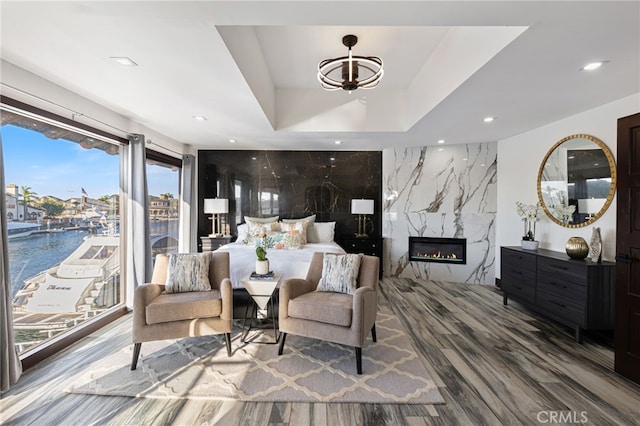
[(158, 315)]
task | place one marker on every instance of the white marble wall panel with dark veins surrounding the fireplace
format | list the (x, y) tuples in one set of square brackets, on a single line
[(441, 191)]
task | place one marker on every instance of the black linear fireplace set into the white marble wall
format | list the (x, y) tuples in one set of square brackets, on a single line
[(441, 250)]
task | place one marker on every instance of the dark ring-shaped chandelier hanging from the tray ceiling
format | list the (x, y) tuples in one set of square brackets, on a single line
[(350, 72)]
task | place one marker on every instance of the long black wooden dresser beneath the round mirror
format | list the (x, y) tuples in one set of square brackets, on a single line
[(576, 293)]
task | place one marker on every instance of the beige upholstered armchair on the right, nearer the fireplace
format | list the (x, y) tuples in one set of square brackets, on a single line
[(334, 317)]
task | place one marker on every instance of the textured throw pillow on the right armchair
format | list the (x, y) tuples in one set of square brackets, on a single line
[(340, 273)]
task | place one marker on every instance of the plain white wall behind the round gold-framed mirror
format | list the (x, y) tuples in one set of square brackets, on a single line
[(519, 159)]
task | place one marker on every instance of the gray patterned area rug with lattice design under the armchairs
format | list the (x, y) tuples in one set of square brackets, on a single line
[(309, 370)]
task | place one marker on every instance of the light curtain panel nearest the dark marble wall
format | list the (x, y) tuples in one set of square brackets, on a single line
[(187, 232)]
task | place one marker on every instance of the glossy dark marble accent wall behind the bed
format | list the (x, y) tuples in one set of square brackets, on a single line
[(304, 182)]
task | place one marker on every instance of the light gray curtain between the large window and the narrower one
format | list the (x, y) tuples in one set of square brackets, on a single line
[(133, 184)]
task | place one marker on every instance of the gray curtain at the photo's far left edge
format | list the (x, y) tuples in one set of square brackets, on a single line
[(10, 365)]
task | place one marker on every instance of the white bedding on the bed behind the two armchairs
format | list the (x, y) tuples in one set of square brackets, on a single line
[(289, 263)]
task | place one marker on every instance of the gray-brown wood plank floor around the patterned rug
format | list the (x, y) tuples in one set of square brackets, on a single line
[(494, 365)]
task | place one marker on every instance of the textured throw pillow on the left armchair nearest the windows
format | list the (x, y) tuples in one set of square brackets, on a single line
[(188, 272)]
